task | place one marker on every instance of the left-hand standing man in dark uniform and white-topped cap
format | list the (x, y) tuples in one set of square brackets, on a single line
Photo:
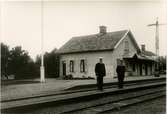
[(100, 72)]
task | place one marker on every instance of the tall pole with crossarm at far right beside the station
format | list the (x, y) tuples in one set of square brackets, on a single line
[(156, 24)]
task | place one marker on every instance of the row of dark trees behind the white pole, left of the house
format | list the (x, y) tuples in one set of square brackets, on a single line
[(17, 62)]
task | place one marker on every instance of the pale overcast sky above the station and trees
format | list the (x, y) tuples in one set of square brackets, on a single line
[(62, 20)]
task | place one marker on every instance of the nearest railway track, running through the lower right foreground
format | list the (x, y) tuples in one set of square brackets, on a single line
[(117, 102)]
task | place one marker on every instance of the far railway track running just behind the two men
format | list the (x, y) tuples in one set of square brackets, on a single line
[(90, 87)]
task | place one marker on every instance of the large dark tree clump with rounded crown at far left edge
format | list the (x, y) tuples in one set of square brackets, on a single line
[(17, 62)]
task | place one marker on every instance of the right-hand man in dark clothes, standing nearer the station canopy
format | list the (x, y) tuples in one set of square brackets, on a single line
[(121, 74)]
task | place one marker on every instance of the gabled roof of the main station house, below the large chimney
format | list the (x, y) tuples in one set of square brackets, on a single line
[(95, 42)]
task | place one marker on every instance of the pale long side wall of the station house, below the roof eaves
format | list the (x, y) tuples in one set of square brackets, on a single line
[(90, 60)]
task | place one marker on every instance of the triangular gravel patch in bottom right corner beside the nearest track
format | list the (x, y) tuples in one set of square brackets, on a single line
[(156, 106)]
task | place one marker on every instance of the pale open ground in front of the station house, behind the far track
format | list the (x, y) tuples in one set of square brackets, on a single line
[(23, 90)]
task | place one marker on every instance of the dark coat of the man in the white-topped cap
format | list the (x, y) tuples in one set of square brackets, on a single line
[(100, 69)]
